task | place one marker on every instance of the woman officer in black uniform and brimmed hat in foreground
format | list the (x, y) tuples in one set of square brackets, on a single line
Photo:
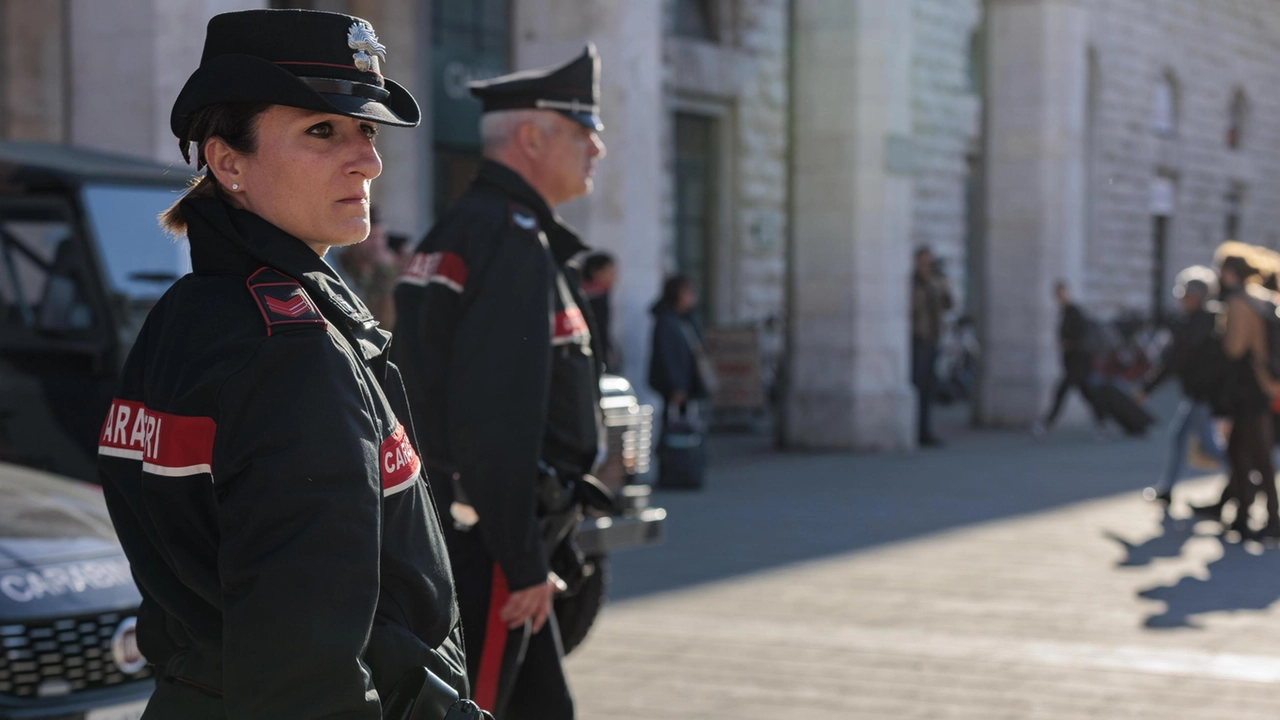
[(257, 461)]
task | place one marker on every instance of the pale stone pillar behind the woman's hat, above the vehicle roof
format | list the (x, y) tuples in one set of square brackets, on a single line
[(131, 58)]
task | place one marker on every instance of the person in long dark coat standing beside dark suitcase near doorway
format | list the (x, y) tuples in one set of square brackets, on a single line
[(682, 373)]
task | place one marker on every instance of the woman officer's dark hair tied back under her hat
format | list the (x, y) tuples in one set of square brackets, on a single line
[(236, 124)]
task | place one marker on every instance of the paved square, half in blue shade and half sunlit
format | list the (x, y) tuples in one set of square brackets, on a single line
[(999, 578)]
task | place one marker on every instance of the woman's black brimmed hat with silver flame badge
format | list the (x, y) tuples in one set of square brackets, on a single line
[(324, 62)]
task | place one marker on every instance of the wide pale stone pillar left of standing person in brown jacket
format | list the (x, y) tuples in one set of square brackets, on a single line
[(849, 380)]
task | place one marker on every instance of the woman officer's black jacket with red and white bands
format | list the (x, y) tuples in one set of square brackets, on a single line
[(271, 502)]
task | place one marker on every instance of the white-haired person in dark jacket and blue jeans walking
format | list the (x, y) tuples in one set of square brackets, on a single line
[(1195, 418)]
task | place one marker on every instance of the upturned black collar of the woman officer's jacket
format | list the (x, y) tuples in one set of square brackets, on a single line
[(227, 240)]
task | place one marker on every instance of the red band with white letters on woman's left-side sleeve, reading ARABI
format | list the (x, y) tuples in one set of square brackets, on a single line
[(168, 445)]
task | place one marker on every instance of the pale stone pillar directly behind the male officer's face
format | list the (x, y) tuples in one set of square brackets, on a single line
[(624, 216)]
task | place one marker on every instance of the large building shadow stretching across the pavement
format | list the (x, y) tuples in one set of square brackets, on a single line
[(764, 509)]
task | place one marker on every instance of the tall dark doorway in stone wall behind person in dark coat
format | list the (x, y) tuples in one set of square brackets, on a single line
[(696, 203)]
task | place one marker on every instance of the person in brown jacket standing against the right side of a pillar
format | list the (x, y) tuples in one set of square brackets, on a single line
[(931, 299)]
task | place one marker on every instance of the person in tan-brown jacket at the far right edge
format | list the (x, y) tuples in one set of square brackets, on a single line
[(1249, 386)]
